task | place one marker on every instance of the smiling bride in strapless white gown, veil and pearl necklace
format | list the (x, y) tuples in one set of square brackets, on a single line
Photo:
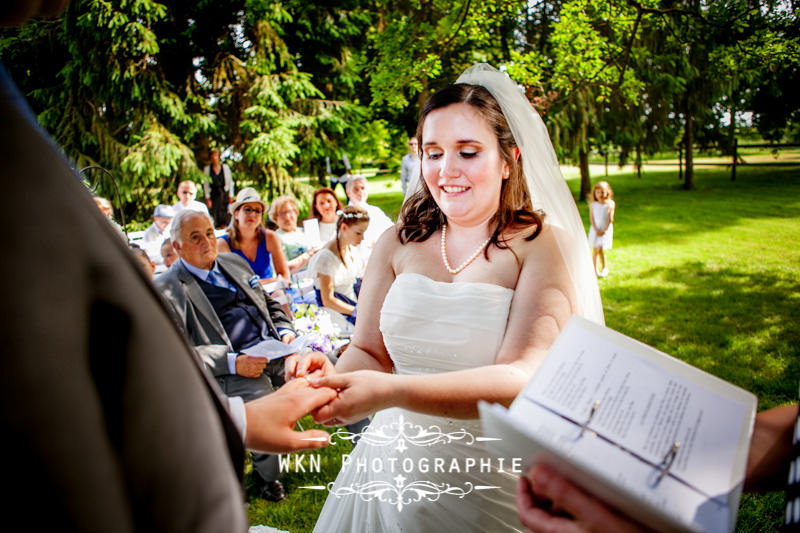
[(460, 303)]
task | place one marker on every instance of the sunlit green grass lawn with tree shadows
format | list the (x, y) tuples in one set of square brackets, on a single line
[(710, 276)]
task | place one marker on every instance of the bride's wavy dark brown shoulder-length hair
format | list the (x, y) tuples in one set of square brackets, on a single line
[(420, 215)]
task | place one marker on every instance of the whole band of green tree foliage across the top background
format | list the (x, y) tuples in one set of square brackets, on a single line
[(146, 88)]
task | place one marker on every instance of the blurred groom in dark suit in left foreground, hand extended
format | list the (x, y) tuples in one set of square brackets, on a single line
[(105, 411)]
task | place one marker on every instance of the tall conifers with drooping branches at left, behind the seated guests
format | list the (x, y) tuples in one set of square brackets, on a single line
[(146, 88)]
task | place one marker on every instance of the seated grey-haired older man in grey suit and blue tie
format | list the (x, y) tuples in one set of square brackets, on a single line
[(222, 315)]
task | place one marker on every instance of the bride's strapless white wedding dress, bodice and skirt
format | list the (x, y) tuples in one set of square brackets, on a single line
[(429, 327)]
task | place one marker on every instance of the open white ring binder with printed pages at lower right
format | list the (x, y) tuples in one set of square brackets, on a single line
[(661, 440)]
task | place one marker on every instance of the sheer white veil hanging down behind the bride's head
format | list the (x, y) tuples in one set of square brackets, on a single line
[(548, 190)]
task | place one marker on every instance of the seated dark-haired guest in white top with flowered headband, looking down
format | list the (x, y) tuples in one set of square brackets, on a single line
[(336, 266)]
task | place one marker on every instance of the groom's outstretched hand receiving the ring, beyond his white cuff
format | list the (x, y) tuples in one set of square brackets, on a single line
[(271, 419)]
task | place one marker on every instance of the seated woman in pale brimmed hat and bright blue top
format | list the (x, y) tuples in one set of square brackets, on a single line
[(247, 237)]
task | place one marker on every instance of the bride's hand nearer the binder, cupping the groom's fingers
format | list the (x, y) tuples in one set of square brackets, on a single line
[(360, 394)]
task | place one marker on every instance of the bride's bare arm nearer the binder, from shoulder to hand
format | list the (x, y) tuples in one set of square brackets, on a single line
[(542, 304)]
